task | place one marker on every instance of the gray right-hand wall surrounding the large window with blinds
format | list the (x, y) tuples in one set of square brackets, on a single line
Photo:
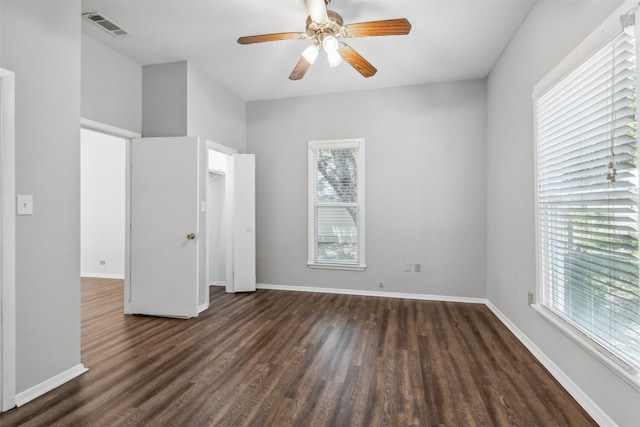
[(550, 32)]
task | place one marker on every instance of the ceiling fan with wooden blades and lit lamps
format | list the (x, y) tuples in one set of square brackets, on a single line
[(326, 29)]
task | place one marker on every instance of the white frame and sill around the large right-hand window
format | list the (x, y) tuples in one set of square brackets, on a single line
[(593, 43)]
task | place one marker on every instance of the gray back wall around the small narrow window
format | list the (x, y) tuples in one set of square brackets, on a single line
[(425, 186)]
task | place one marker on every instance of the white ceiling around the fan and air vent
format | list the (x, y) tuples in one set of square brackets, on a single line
[(449, 40)]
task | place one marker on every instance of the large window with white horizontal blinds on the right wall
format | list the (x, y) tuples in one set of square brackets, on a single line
[(587, 200)]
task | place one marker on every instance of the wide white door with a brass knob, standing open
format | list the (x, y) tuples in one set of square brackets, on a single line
[(167, 182)]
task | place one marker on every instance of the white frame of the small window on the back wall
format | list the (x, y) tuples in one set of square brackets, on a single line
[(360, 265)]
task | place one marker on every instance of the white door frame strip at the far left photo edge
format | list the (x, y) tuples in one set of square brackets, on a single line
[(8, 243)]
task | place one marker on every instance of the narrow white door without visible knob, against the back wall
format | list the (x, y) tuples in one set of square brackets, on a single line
[(241, 196)]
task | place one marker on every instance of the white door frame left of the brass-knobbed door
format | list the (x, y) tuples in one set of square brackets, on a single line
[(127, 135)]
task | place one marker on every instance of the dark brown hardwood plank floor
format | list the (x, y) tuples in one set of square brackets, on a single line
[(276, 358)]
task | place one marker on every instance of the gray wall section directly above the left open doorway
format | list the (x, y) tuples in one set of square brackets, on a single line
[(111, 86)]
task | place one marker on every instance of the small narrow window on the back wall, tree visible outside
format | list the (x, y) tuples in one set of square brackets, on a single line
[(336, 195)]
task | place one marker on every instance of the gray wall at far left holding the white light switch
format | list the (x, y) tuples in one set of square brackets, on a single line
[(40, 42)]
